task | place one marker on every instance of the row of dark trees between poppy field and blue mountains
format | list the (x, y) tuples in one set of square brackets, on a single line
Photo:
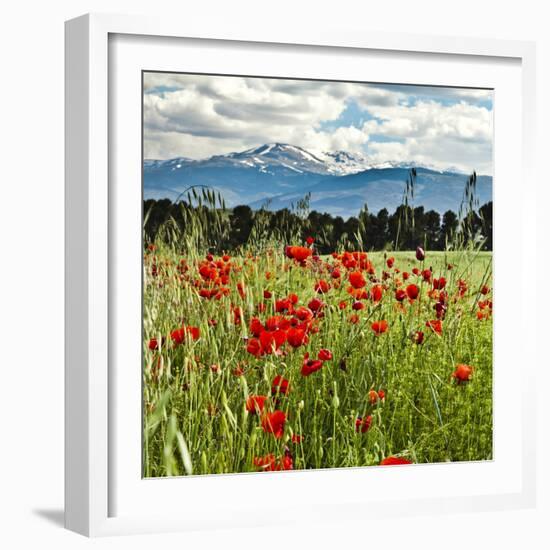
[(404, 229)]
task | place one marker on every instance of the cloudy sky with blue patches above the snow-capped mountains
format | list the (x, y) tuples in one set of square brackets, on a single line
[(197, 116)]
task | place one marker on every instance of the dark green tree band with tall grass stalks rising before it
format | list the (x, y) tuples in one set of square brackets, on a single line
[(203, 213)]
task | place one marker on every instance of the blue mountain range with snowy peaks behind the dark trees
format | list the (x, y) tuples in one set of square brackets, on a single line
[(277, 175)]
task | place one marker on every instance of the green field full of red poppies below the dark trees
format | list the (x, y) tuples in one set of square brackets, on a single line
[(286, 360)]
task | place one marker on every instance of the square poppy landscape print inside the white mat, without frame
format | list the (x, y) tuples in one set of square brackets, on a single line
[(317, 274)]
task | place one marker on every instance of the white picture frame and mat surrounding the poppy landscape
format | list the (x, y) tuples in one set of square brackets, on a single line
[(93, 453)]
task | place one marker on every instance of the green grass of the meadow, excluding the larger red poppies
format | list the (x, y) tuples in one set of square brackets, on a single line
[(195, 420)]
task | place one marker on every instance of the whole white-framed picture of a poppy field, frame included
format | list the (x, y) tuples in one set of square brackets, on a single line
[(294, 288)]
